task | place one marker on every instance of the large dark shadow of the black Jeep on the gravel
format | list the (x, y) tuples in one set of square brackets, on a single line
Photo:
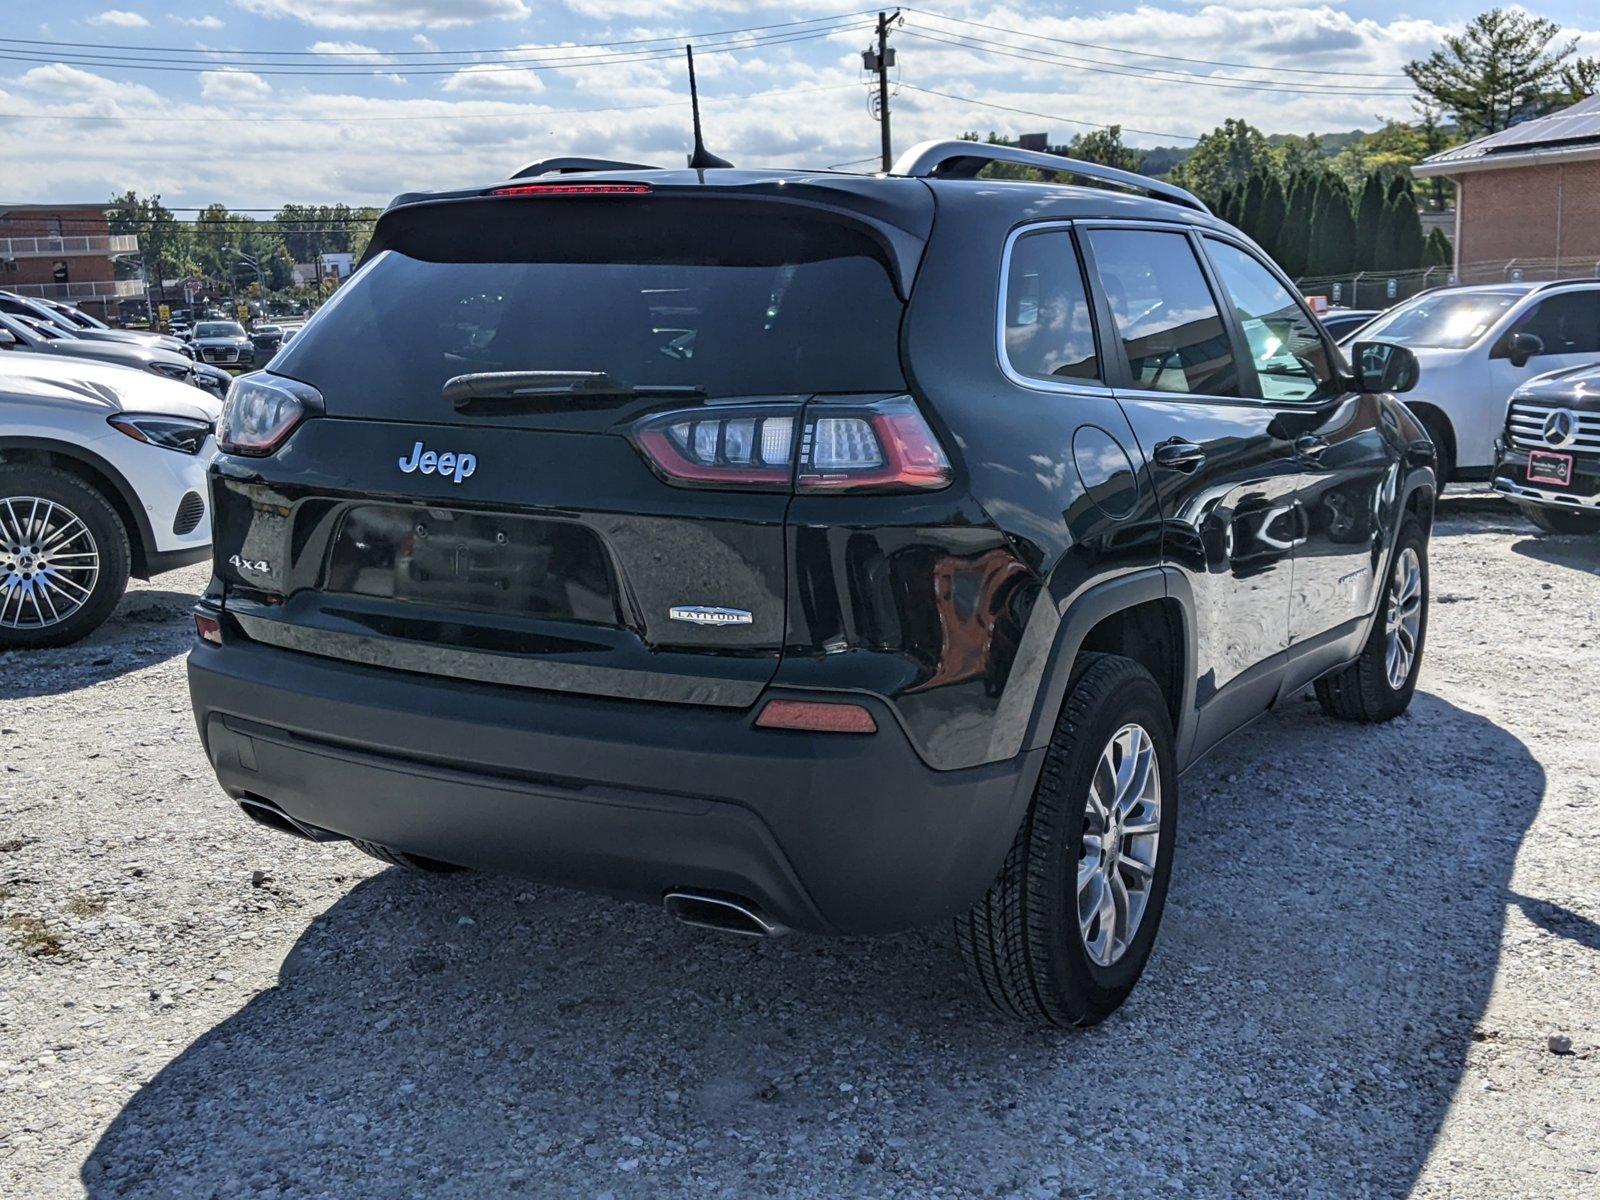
[(1330, 943)]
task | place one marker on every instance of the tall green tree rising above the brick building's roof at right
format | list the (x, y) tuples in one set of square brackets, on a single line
[(1503, 66)]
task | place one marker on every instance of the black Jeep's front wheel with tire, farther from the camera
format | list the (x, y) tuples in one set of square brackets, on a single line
[(1372, 689)]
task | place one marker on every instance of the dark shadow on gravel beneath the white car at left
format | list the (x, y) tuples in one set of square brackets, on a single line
[(148, 626)]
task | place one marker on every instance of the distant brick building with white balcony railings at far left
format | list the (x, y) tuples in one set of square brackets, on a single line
[(65, 254)]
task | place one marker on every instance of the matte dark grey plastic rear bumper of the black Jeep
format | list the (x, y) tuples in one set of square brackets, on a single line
[(831, 834)]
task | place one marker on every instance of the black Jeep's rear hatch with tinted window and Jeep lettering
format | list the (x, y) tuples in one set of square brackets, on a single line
[(478, 497)]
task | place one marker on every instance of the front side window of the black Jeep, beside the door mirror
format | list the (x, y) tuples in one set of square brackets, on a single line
[(1289, 351)]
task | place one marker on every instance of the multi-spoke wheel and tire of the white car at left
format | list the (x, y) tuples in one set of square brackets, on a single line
[(65, 558)]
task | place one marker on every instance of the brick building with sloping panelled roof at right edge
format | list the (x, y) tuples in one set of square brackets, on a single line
[(1527, 198)]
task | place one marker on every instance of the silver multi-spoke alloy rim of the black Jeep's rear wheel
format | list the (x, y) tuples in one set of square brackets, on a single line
[(1122, 834)]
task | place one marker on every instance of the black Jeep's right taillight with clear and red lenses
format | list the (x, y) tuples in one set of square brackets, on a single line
[(825, 447)]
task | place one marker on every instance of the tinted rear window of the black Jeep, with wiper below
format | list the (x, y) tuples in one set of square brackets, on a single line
[(812, 310)]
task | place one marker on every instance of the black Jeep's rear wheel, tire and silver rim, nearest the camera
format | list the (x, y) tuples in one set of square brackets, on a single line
[(1026, 943)]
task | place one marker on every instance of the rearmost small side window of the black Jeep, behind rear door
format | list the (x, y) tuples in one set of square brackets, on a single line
[(1049, 332)]
